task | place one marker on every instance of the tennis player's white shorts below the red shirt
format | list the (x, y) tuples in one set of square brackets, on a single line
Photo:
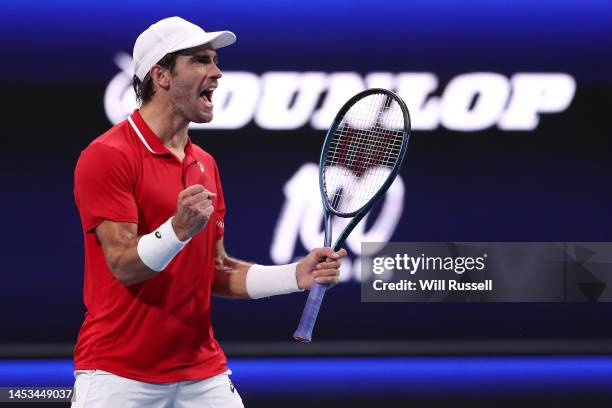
[(100, 389)]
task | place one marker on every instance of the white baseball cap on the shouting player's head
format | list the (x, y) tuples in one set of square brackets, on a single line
[(169, 35)]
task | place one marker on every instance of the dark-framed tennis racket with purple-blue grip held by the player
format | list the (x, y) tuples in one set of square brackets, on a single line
[(361, 156)]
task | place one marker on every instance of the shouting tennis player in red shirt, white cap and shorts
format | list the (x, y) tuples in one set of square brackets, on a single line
[(152, 210)]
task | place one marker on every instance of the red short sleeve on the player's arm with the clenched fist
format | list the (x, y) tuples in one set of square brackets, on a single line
[(104, 187)]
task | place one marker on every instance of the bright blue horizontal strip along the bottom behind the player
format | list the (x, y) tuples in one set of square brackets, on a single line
[(392, 377)]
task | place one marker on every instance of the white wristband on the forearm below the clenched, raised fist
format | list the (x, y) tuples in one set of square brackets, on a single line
[(157, 249)]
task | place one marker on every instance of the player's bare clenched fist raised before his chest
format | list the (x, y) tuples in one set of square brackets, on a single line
[(193, 211)]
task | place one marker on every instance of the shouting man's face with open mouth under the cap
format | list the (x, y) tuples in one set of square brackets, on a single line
[(194, 79)]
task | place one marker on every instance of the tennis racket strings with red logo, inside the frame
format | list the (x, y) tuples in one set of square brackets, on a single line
[(363, 151)]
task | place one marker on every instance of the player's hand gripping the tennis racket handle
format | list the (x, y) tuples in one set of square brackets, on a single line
[(312, 268)]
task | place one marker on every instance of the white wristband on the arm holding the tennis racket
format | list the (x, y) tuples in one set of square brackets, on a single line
[(263, 281)]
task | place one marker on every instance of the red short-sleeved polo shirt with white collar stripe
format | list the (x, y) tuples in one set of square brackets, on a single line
[(158, 330)]
